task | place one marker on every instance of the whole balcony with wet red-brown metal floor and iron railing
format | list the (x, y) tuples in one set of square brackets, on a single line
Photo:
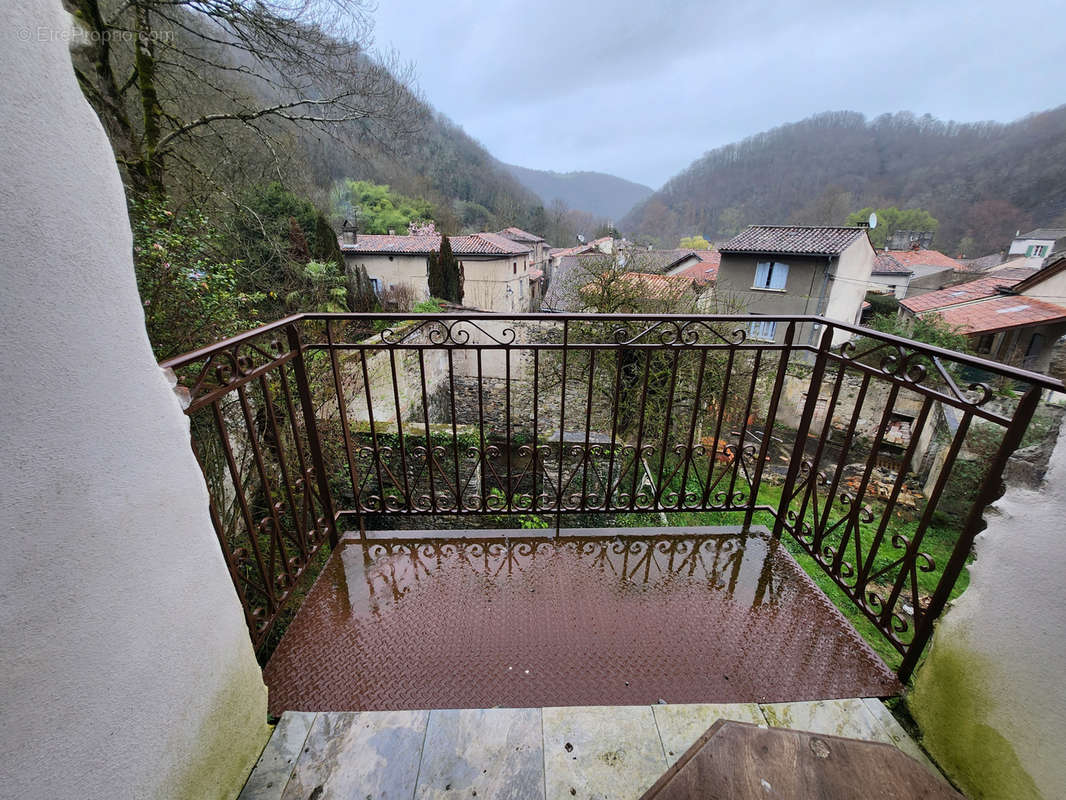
[(543, 510)]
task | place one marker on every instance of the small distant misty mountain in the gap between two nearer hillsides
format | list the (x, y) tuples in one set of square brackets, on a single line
[(595, 193)]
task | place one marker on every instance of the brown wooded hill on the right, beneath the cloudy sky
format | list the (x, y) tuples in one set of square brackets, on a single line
[(982, 182)]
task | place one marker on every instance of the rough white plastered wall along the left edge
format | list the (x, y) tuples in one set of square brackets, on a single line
[(127, 670)]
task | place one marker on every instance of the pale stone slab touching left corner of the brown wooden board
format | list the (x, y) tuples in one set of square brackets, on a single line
[(601, 753)]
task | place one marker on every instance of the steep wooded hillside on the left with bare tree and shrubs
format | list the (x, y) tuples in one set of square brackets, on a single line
[(236, 129)]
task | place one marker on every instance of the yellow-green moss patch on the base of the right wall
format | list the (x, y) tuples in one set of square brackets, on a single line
[(950, 705)]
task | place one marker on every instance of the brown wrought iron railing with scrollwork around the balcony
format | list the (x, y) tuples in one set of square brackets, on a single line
[(876, 455)]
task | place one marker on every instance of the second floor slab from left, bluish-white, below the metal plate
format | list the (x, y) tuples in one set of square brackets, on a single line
[(360, 755)]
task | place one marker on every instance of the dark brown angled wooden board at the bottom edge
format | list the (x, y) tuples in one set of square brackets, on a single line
[(736, 761)]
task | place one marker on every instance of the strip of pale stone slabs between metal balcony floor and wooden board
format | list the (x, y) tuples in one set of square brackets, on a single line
[(591, 753)]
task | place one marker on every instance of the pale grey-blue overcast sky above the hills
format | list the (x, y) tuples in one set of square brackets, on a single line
[(642, 89)]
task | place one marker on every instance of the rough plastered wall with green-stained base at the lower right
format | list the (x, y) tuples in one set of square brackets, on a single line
[(990, 698)]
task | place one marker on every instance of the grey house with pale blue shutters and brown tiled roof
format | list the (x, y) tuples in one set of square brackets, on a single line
[(797, 270)]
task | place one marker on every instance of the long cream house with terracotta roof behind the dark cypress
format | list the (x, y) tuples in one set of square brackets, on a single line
[(496, 269)]
